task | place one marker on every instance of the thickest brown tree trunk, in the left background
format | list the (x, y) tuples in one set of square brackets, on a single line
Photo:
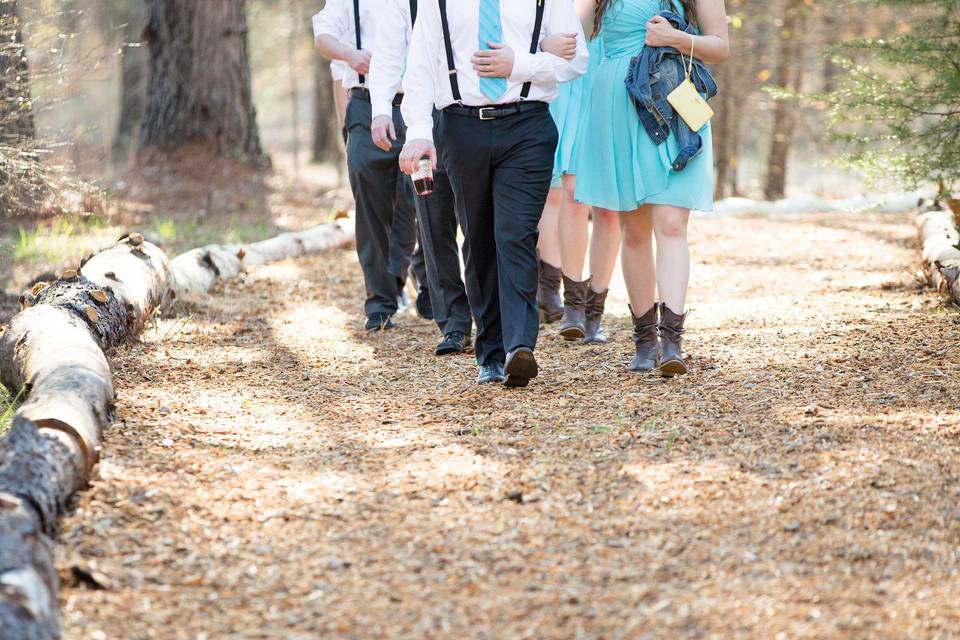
[(199, 89)]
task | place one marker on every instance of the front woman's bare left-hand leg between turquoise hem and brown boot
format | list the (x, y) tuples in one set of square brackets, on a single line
[(636, 257)]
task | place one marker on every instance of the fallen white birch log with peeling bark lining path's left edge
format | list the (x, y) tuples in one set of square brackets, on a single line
[(55, 349)]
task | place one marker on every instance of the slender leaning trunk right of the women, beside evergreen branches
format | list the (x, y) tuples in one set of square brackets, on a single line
[(789, 76)]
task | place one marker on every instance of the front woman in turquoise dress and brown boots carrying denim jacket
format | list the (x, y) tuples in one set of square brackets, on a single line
[(621, 170)]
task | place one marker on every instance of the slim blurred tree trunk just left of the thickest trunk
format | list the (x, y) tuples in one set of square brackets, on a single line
[(133, 87)]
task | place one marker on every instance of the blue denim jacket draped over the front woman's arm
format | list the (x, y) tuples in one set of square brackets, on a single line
[(653, 74)]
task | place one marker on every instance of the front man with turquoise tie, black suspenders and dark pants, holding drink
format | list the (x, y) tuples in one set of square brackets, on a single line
[(479, 63)]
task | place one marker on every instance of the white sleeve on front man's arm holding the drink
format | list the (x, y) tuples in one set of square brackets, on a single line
[(420, 80)]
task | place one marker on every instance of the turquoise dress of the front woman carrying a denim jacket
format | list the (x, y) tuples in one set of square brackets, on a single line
[(617, 164)]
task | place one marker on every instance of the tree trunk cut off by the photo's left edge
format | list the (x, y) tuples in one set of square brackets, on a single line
[(16, 108)]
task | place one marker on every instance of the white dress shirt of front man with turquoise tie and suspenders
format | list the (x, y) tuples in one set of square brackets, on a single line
[(426, 82)]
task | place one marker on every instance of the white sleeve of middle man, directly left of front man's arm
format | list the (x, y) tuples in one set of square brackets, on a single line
[(386, 65)]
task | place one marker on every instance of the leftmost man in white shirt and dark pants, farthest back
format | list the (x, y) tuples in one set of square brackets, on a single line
[(386, 219)]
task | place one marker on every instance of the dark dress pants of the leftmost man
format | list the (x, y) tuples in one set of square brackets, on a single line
[(386, 217)]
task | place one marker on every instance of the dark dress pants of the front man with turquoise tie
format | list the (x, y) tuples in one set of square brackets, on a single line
[(500, 171)]
